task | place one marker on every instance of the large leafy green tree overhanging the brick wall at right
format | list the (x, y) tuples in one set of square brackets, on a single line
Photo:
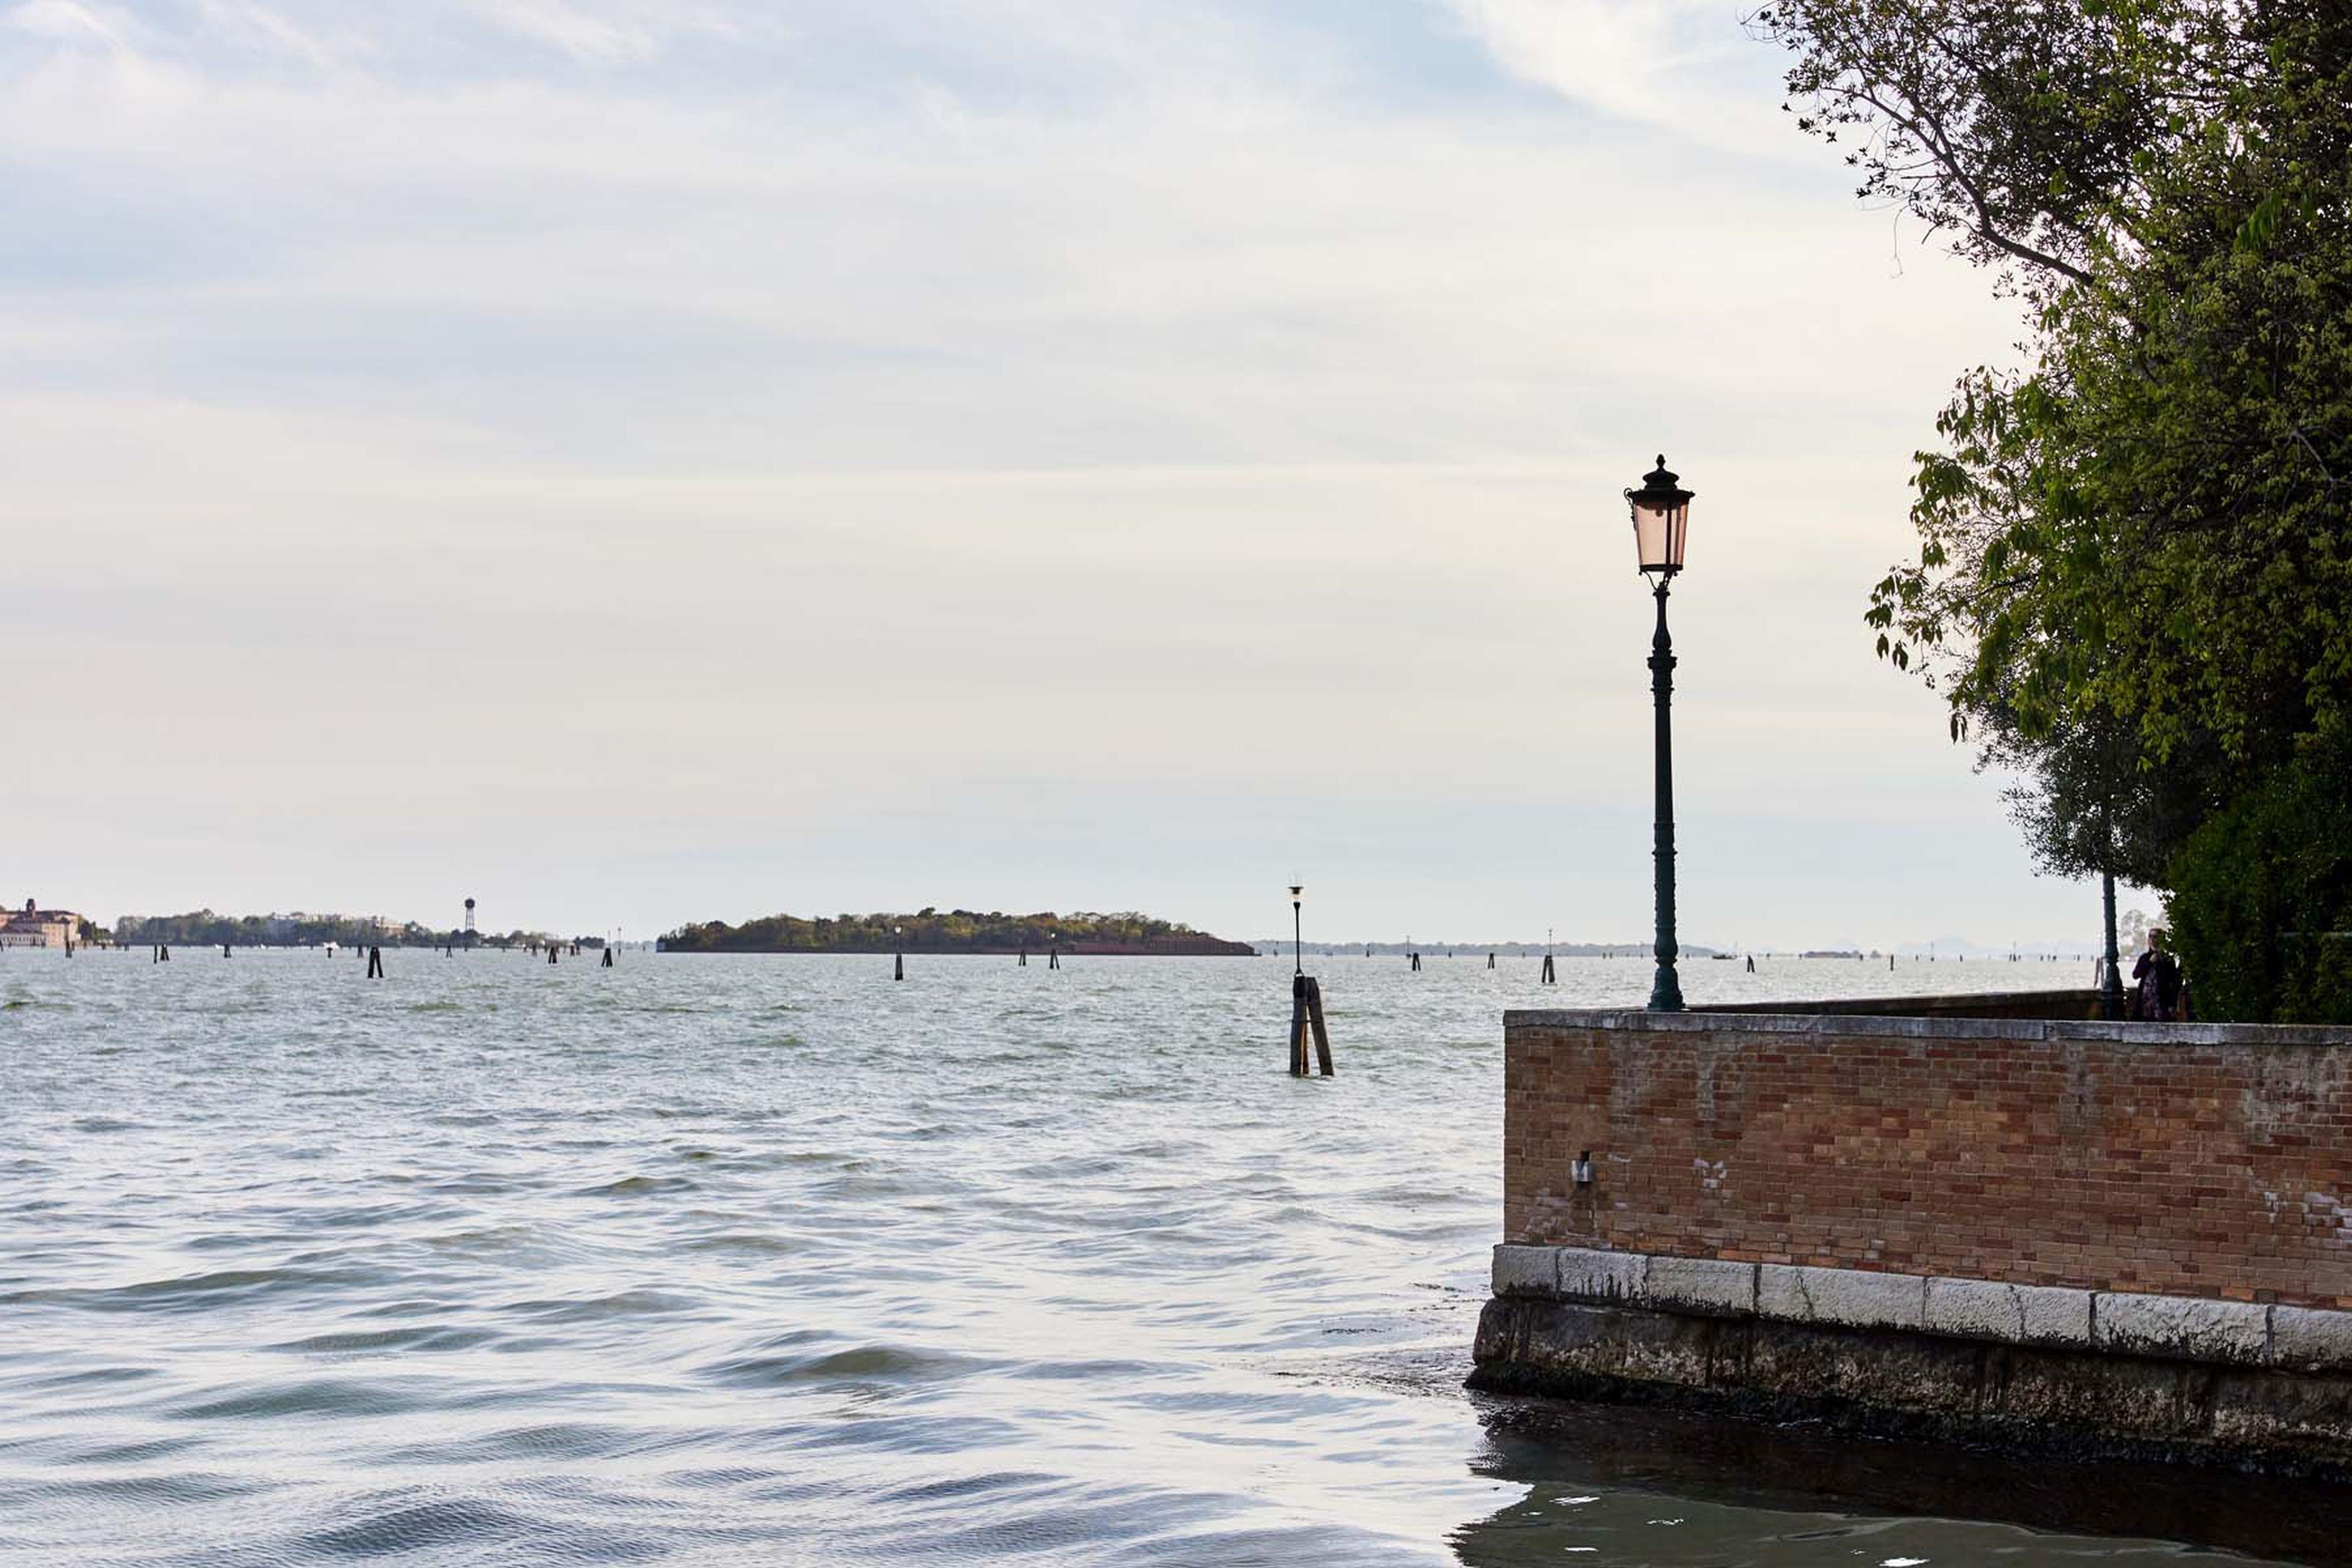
[(2134, 565)]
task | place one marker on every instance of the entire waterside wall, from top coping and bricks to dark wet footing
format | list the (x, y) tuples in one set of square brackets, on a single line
[(2045, 1231)]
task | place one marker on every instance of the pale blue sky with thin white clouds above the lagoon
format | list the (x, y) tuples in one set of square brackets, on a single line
[(641, 462)]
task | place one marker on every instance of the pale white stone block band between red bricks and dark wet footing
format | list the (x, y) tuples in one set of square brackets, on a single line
[(2045, 1318)]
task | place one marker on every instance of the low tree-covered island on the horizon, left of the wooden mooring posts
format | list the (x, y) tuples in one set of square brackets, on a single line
[(956, 932)]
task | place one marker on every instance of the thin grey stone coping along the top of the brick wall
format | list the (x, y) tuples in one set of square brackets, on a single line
[(1878, 1026)]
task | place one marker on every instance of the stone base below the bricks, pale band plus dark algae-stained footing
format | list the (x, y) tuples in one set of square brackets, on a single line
[(2036, 1369)]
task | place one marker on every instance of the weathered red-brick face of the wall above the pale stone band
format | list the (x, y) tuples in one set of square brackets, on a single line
[(2193, 1160)]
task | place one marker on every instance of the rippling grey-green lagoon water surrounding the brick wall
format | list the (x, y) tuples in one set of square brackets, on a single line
[(775, 1261)]
